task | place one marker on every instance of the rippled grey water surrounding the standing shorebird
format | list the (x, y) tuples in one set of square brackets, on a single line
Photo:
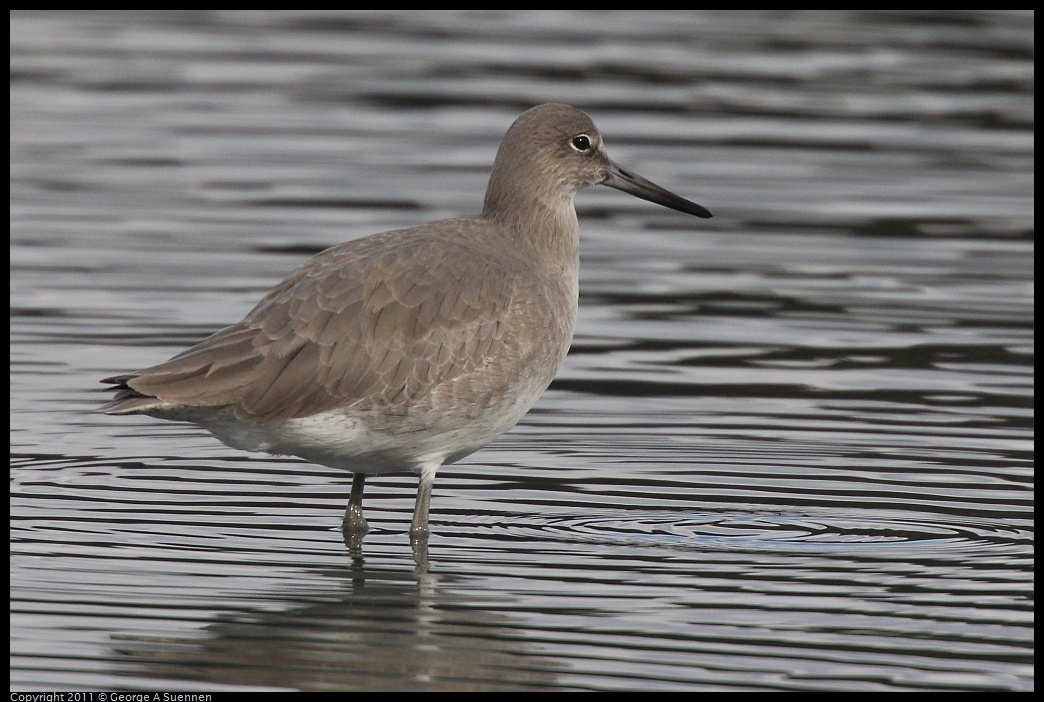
[(792, 448)]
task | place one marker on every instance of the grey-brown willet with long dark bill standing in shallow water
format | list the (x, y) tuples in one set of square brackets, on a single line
[(411, 349)]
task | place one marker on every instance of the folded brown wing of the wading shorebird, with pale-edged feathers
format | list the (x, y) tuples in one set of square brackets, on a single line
[(373, 322)]
